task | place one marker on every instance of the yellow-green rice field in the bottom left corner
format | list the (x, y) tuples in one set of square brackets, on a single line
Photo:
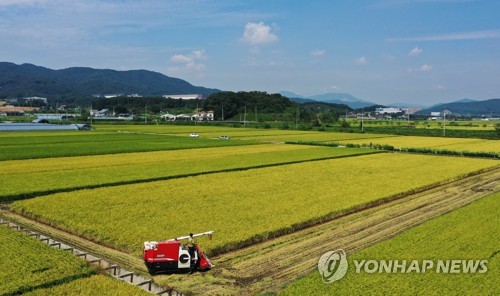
[(34, 268)]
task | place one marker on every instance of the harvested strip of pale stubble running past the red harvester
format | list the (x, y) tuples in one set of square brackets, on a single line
[(270, 265)]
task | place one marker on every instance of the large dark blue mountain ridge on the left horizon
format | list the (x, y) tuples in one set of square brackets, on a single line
[(73, 84)]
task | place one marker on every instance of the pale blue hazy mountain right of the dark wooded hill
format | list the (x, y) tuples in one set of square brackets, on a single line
[(334, 98)]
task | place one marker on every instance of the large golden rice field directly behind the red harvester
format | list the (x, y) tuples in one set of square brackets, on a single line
[(244, 206)]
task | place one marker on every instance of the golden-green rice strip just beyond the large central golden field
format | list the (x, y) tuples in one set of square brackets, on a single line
[(23, 178)]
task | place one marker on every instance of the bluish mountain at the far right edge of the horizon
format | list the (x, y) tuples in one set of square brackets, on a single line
[(469, 107)]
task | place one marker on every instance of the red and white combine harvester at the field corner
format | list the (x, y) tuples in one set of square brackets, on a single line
[(173, 256)]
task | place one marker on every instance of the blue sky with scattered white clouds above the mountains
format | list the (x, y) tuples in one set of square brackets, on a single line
[(385, 51)]
